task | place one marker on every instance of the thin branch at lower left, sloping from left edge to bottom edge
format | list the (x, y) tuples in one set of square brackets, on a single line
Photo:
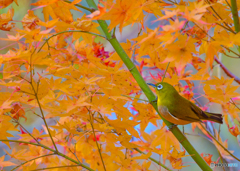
[(43, 146)]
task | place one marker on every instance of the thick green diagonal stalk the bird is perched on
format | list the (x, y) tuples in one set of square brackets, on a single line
[(147, 91)]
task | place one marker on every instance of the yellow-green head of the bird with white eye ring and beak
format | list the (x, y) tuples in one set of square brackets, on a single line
[(163, 89)]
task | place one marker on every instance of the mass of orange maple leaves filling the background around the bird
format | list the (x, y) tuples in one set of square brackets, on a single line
[(88, 109)]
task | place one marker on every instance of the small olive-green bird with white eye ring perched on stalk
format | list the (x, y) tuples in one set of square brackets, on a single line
[(178, 110)]
